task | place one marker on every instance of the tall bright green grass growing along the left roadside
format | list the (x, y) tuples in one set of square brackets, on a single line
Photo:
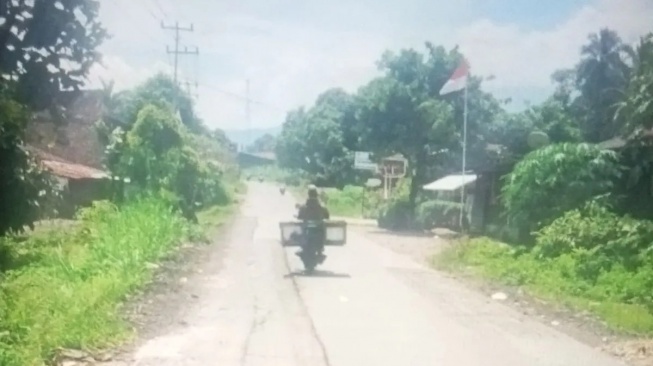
[(64, 286)]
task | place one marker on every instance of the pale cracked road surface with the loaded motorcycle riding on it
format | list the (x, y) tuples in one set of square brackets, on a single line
[(366, 306)]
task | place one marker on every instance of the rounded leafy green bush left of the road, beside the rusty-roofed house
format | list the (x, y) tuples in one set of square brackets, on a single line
[(157, 154)]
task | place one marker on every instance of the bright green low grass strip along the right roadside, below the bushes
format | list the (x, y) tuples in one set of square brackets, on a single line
[(551, 279)]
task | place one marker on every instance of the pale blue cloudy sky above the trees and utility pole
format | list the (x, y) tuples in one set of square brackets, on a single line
[(291, 50)]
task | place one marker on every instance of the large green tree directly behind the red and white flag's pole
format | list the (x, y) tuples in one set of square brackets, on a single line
[(402, 112)]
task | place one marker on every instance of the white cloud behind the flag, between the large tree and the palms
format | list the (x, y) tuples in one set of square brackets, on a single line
[(522, 59)]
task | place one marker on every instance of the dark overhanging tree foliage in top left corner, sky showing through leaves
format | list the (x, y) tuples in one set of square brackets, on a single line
[(48, 46)]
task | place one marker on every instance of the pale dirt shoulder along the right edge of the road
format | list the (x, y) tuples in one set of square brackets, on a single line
[(579, 325)]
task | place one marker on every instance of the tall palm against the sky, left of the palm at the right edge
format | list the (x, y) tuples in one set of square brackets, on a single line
[(602, 75)]
